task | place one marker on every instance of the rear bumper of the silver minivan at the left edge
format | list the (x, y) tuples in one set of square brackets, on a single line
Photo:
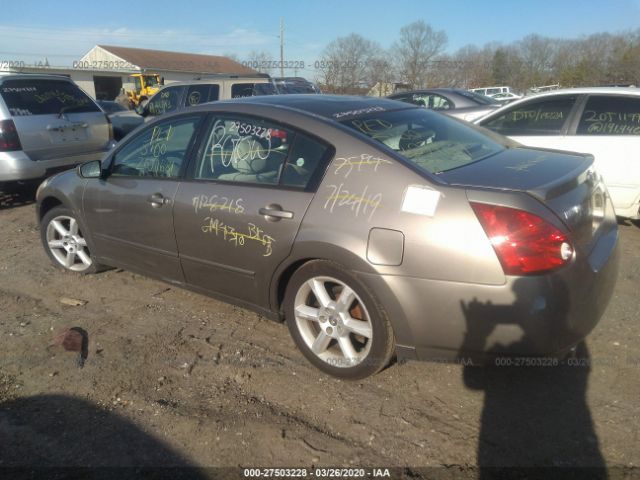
[(15, 166)]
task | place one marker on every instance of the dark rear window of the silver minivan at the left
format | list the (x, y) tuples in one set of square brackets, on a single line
[(43, 97)]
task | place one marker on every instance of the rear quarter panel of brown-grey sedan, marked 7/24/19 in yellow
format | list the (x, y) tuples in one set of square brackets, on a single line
[(364, 189)]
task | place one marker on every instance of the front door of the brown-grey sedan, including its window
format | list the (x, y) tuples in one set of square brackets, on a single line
[(129, 211)]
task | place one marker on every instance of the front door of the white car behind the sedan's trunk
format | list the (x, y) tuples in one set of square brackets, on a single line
[(539, 122)]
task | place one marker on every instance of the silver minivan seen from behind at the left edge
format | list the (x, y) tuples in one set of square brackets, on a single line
[(47, 123)]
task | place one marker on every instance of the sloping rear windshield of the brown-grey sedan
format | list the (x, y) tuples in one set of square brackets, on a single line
[(432, 141)]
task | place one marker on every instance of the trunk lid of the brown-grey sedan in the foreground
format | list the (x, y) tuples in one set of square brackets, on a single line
[(565, 182)]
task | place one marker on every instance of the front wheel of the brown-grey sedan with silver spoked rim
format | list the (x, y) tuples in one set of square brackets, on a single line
[(64, 242)]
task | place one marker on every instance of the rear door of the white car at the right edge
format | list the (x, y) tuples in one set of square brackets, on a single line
[(609, 129)]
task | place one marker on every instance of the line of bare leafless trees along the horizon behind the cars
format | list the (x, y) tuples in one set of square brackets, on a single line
[(419, 59)]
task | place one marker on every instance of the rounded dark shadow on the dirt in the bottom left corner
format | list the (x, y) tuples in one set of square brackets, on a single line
[(59, 436)]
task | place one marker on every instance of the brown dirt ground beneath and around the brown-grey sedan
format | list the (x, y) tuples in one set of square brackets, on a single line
[(173, 378)]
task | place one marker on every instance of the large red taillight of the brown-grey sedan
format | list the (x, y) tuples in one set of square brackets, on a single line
[(525, 243)]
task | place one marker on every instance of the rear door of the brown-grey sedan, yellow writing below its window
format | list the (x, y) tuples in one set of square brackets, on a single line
[(237, 214)]
